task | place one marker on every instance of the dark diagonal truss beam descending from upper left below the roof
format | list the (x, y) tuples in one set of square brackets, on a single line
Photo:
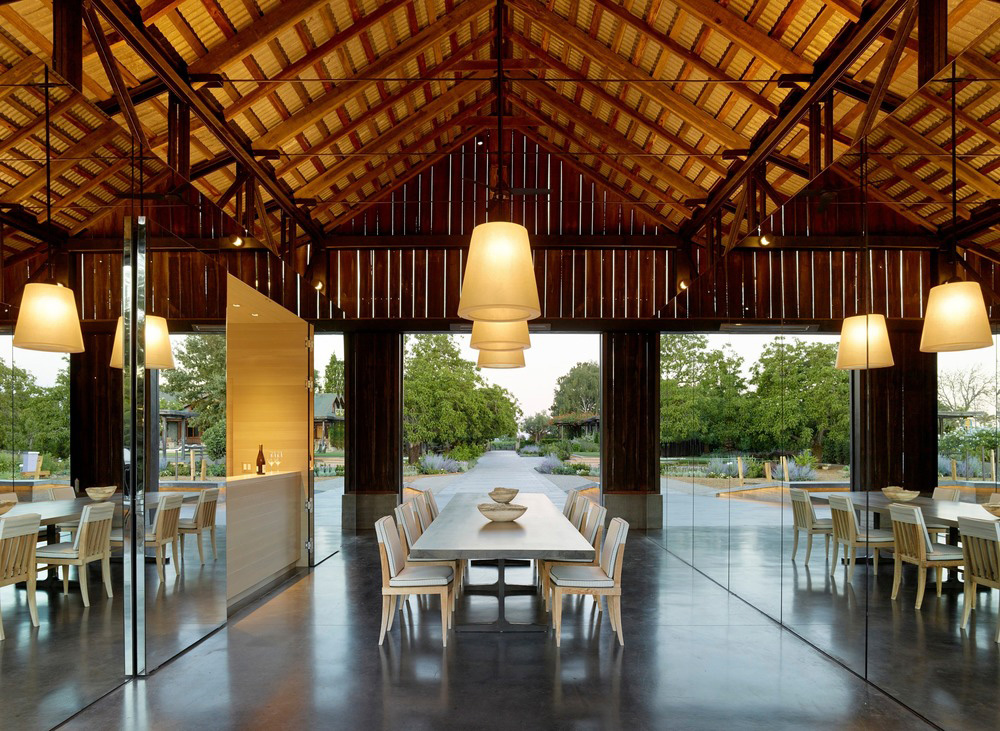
[(153, 56)]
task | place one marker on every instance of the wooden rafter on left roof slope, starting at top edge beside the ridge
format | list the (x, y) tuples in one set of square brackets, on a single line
[(408, 49)]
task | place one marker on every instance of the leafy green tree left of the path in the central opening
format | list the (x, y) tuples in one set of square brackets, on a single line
[(446, 402)]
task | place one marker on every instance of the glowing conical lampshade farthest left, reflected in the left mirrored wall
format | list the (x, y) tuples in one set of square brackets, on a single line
[(48, 320)]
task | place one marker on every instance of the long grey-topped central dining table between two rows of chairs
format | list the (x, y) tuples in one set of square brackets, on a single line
[(461, 532)]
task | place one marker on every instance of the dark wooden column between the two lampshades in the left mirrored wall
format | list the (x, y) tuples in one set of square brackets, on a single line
[(95, 413)]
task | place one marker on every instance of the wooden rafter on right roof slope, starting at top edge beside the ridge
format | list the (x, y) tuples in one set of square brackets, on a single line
[(653, 89)]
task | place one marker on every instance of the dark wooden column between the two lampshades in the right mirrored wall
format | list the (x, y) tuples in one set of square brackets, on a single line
[(894, 419)]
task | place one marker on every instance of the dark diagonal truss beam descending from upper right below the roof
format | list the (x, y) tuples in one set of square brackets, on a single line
[(795, 107)]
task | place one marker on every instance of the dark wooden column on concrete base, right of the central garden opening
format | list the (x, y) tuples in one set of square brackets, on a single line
[(630, 427)]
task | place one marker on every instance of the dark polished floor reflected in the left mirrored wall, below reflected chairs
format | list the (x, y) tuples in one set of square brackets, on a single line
[(75, 656)]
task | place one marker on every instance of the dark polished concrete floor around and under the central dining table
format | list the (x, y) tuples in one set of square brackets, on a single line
[(307, 656)]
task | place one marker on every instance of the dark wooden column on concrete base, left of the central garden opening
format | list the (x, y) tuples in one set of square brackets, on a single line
[(373, 442)]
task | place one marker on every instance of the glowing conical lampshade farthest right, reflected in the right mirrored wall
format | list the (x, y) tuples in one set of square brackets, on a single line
[(955, 319)]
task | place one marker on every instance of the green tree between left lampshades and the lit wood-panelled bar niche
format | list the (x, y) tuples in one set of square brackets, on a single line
[(199, 381)]
